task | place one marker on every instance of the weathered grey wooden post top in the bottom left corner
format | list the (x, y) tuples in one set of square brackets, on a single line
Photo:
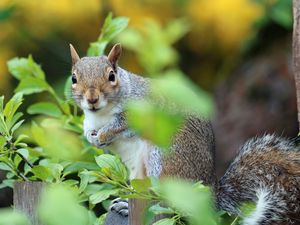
[(26, 198)]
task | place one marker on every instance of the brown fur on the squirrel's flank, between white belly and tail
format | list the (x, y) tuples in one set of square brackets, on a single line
[(192, 153)]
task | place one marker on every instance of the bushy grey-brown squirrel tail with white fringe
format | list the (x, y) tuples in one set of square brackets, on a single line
[(271, 164)]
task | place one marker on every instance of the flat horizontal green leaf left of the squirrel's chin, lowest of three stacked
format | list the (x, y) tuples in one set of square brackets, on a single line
[(45, 108)]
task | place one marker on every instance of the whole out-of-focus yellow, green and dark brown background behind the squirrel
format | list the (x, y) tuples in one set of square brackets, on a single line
[(239, 50)]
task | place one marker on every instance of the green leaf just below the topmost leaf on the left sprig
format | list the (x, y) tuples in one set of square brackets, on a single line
[(30, 85)]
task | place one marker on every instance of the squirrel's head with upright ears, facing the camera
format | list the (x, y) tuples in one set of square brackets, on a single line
[(95, 80)]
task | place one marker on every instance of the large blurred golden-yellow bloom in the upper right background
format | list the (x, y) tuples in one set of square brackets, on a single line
[(230, 22)]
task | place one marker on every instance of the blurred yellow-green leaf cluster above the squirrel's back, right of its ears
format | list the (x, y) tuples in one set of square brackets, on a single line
[(152, 40)]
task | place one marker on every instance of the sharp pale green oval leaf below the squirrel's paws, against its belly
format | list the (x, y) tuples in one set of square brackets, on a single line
[(113, 167)]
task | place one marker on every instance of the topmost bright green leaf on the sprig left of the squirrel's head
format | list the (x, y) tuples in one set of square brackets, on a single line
[(22, 68)]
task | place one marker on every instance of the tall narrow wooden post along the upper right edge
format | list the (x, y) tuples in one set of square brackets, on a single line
[(296, 52)]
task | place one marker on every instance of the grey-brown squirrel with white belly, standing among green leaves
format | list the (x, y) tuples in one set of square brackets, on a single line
[(265, 171)]
